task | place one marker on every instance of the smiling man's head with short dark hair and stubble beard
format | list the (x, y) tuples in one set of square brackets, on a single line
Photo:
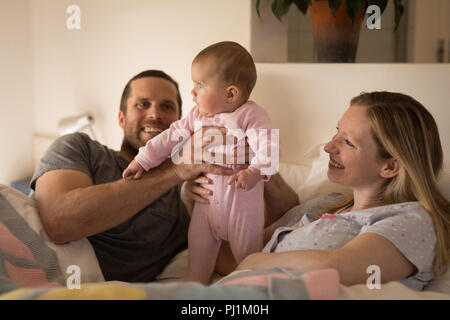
[(151, 108)]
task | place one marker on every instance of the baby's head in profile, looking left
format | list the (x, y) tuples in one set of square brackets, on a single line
[(224, 75)]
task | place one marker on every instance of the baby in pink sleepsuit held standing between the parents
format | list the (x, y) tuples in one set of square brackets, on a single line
[(224, 75)]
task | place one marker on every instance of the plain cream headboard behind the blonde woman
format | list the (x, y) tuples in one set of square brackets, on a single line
[(305, 101)]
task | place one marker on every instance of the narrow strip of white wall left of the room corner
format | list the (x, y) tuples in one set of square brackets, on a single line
[(16, 108)]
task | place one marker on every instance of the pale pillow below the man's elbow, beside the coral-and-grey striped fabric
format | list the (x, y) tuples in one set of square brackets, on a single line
[(78, 252)]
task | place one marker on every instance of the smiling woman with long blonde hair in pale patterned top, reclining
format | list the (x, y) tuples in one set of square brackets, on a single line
[(387, 150)]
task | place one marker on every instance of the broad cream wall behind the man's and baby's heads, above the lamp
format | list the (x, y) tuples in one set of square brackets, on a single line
[(85, 70)]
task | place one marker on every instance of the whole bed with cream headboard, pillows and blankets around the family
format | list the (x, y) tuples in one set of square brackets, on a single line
[(32, 267)]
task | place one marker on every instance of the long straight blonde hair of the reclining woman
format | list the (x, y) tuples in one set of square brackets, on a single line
[(405, 130)]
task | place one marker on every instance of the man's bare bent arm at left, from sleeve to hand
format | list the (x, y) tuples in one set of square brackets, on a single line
[(71, 207)]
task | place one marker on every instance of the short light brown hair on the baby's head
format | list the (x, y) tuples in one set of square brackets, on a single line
[(233, 63)]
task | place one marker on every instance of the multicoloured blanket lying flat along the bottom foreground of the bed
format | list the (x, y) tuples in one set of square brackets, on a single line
[(273, 284)]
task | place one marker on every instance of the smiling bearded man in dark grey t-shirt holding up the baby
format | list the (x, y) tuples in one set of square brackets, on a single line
[(135, 227)]
